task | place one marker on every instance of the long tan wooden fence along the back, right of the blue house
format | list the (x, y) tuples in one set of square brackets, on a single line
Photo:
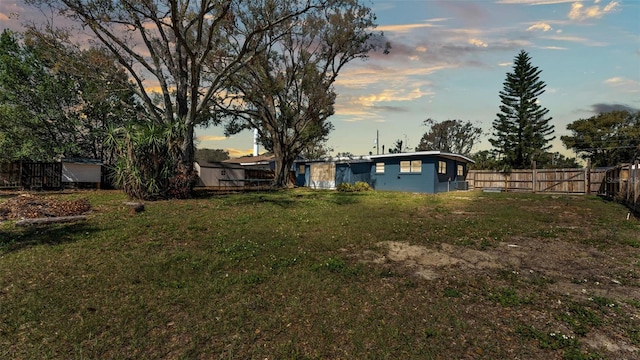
[(568, 181)]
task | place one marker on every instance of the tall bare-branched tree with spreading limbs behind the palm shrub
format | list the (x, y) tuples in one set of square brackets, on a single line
[(183, 50)]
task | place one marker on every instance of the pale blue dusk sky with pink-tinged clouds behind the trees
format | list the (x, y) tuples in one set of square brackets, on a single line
[(449, 60)]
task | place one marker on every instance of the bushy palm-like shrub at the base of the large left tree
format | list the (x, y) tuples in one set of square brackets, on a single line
[(147, 165)]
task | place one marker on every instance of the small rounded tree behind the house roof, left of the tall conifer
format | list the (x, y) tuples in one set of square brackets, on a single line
[(452, 136)]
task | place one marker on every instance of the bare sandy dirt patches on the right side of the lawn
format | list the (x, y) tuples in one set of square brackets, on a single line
[(579, 271)]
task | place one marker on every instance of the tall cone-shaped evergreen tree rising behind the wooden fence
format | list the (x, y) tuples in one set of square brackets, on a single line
[(521, 131)]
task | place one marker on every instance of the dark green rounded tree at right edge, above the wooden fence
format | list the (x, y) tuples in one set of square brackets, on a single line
[(607, 139)]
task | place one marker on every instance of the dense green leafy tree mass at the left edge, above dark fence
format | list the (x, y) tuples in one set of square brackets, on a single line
[(57, 100)]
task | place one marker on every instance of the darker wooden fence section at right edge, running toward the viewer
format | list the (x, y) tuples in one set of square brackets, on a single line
[(622, 183)]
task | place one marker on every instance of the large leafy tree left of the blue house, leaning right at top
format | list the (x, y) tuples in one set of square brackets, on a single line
[(286, 91)]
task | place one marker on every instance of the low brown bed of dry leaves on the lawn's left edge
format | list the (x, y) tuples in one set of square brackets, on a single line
[(27, 206)]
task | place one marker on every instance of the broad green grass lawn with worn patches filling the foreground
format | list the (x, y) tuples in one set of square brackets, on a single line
[(306, 274)]
